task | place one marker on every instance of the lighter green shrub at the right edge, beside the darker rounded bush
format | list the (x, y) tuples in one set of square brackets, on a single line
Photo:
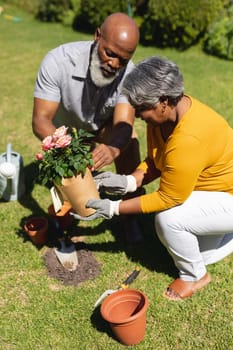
[(219, 37)]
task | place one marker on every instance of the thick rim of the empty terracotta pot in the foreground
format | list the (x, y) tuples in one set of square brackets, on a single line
[(109, 301)]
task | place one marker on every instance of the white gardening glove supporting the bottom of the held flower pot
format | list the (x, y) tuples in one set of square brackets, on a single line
[(105, 208)]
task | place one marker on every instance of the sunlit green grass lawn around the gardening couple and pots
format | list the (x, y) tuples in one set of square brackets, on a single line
[(38, 312)]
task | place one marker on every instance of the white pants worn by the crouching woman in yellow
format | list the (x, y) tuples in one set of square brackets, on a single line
[(198, 232)]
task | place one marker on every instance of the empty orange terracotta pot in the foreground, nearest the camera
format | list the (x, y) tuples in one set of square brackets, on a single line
[(125, 310)]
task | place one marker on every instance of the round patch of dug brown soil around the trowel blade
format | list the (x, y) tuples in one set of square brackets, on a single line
[(88, 268)]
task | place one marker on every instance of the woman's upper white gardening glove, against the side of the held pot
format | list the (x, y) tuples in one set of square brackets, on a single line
[(114, 183)]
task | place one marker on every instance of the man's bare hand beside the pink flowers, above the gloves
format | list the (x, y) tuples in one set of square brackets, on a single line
[(104, 155)]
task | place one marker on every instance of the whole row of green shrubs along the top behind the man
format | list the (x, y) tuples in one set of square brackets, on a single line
[(169, 23)]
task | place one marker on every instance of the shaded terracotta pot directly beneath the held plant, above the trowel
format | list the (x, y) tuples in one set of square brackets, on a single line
[(62, 216)]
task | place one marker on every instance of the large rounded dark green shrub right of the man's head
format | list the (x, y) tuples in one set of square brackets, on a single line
[(172, 23)]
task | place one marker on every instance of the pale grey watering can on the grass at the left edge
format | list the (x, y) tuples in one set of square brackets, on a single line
[(12, 185)]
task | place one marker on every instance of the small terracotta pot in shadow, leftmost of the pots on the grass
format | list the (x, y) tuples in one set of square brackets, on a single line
[(37, 229)]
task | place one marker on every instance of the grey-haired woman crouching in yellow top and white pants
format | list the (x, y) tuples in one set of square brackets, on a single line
[(190, 148)]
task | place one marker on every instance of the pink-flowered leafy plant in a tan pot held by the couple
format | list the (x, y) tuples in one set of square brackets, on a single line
[(66, 161)]
